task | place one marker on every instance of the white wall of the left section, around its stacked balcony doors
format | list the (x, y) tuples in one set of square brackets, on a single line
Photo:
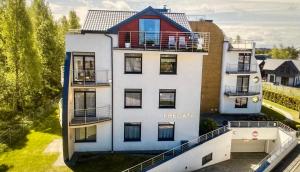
[(100, 45)]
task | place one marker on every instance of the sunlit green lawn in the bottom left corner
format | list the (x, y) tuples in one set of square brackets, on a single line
[(31, 156)]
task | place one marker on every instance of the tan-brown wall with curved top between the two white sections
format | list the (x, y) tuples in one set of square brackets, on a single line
[(211, 81)]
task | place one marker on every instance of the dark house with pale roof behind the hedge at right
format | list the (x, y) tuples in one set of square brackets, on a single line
[(282, 72)]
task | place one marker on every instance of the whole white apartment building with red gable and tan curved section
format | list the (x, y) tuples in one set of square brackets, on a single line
[(140, 80)]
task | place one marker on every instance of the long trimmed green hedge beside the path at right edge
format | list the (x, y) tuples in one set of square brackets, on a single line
[(284, 100)]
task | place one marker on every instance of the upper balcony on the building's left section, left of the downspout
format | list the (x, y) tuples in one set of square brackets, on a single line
[(91, 78)]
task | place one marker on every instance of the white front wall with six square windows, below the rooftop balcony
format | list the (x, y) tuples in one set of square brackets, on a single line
[(186, 116)]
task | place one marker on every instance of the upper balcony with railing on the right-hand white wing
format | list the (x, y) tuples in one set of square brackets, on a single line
[(241, 68)]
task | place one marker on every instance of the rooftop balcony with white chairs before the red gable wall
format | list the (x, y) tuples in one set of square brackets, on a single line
[(164, 41)]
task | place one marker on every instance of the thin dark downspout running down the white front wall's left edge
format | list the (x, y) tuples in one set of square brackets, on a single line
[(112, 92)]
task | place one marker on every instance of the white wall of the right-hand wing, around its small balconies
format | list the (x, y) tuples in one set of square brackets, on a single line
[(227, 104)]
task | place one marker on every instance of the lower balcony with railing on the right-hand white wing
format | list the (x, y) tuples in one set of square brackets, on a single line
[(234, 91)]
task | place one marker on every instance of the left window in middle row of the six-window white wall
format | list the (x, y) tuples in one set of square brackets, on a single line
[(133, 98)]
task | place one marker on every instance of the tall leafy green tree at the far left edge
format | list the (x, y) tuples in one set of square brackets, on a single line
[(22, 63)]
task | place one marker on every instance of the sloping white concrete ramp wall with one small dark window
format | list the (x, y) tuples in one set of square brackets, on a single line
[(192, 159)]
